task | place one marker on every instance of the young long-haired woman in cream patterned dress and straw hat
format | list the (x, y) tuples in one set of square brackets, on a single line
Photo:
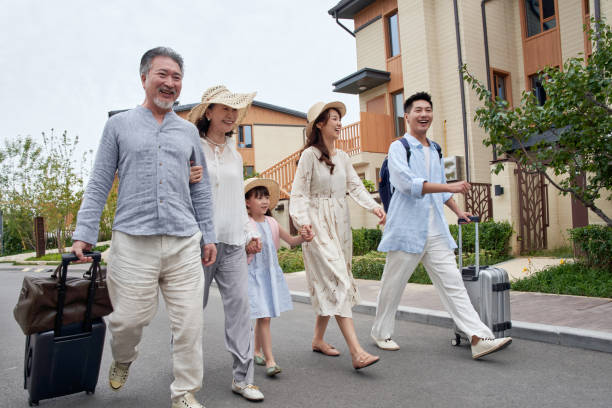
[(318, 201)]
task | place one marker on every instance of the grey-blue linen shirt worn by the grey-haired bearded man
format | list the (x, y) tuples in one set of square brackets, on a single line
[(152, 164)]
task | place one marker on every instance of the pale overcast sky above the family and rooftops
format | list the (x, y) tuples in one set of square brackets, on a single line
[(66, 63)]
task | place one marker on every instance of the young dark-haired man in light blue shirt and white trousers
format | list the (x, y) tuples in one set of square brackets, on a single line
[(416, 231)]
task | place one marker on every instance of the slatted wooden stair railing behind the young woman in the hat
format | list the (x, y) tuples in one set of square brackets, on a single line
[(283, 172)]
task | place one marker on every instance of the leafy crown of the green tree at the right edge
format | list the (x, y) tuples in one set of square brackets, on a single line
[(570, 135)]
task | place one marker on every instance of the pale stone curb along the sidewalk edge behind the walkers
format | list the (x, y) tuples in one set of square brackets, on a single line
[(560, 335)]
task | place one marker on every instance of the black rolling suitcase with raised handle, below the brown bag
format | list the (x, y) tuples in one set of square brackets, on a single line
[(65, 360)]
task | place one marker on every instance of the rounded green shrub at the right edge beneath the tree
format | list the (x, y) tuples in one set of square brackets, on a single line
[(595, 244)]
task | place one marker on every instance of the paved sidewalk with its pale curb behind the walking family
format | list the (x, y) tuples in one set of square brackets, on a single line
[(574, 321)]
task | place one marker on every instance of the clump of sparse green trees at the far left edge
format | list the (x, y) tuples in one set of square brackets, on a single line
[(40, 179)]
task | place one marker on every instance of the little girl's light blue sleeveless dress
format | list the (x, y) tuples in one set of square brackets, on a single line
[(268, 291)]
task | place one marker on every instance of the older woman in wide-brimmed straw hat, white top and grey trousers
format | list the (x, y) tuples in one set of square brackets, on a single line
[(216, 117)]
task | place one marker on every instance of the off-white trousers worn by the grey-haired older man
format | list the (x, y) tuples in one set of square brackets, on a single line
[(141, 266)]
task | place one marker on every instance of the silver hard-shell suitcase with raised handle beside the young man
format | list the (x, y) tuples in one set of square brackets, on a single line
[(489, 291)]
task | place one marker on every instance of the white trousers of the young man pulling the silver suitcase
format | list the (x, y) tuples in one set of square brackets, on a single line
[(439, 262)]
